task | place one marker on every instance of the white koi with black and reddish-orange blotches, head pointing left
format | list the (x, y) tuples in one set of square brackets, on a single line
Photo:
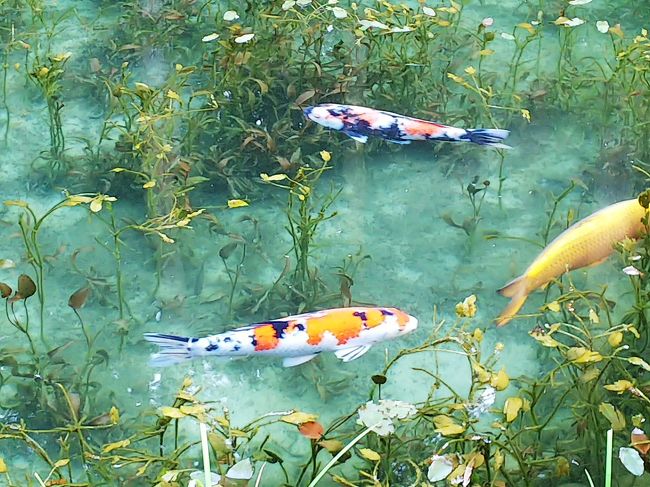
[(360, 122)]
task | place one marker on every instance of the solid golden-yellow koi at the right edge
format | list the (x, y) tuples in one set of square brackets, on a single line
[(588, 242)]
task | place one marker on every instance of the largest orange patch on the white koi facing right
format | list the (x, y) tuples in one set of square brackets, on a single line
[(344, 324)]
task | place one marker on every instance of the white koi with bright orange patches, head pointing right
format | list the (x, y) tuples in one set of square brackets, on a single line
[(348, 332)]
